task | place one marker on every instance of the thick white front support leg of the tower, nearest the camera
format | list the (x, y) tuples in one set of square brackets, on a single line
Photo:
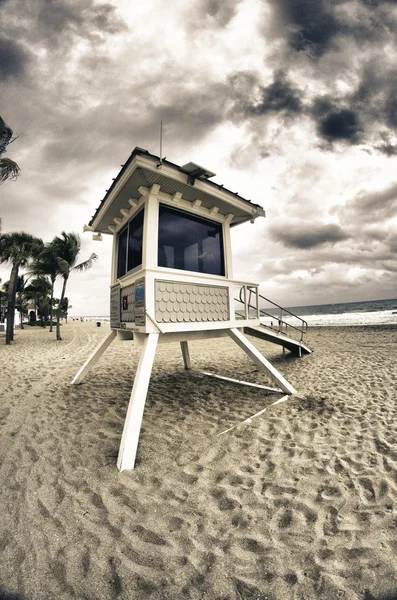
[(133, 419)]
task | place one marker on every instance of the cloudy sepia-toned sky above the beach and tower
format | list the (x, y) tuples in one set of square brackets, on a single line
[(292, 103)]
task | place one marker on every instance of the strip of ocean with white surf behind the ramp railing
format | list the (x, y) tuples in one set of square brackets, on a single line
[(374, 312)]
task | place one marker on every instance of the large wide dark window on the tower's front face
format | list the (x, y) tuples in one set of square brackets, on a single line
[(189, 243)]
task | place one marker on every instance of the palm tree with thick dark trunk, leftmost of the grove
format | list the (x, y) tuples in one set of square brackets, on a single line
[(18, 248)]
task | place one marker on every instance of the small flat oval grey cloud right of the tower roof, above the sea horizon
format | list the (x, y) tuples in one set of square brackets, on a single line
[(306, 235)]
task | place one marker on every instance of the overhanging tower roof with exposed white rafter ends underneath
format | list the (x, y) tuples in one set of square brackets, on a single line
[(143, 170)]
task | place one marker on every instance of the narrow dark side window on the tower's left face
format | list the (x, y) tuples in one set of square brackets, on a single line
[(129, 254)]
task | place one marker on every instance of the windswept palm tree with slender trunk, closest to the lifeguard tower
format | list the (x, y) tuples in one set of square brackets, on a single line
[(67, 248)]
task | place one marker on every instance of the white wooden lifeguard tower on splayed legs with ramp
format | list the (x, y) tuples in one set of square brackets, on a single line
[(172, 277)]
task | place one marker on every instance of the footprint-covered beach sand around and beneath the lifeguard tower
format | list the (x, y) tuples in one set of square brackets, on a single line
[(298, 503)]
